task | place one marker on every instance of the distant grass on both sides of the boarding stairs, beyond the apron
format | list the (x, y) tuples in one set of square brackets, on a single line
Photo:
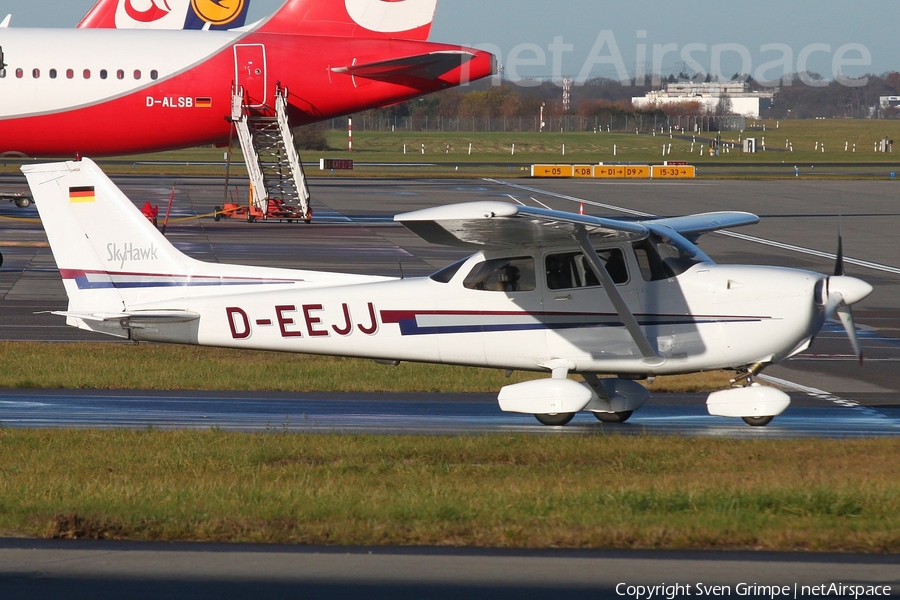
[(449, 152)]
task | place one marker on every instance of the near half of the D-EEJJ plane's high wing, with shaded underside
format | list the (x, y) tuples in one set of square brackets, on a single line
[(500, 224)]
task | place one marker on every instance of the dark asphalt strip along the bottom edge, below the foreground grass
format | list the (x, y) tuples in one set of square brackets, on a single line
[(95, 570)]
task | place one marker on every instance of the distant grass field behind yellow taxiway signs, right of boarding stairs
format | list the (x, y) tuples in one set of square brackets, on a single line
[(590, 147)]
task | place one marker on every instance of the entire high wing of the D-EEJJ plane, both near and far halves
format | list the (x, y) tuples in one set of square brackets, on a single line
[(501, 224)]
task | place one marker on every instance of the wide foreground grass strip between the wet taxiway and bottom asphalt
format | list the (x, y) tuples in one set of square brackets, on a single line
[(490, 491)]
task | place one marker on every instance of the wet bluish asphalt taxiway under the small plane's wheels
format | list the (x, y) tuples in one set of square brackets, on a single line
[(430, 414)]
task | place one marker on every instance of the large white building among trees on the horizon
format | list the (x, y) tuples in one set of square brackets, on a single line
[(709, 95)]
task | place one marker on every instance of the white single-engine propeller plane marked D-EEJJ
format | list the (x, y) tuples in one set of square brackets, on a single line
[(545, 291)]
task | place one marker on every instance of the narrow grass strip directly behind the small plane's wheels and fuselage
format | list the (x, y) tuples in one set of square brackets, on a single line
[(158, 367)]
